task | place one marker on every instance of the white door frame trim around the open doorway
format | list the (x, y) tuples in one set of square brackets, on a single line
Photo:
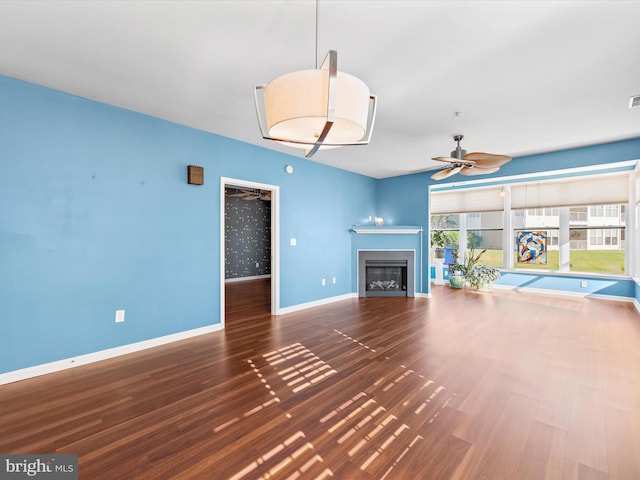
[(275, 240)]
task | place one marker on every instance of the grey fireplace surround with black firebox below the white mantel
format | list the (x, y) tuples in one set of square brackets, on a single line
[(386, 273)]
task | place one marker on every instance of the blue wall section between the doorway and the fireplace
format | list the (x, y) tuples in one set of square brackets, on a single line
[(318, 212)]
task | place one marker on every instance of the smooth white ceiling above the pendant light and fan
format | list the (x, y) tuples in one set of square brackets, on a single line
[(528, 76)]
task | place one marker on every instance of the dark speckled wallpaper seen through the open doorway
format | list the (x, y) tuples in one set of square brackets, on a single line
[(247, 236)]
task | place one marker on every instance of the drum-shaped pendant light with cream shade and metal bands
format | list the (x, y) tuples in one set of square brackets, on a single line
[(316, 109)]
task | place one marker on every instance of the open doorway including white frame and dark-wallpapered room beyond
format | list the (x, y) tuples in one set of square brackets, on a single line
[(249, 242)]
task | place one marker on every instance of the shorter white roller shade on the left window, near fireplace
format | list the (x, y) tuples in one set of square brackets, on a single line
[(481, 199)]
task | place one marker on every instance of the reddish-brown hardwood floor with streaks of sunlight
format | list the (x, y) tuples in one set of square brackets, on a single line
[(506, 385)]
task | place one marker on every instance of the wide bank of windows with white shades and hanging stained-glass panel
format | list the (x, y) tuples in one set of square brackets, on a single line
[(564, 224)]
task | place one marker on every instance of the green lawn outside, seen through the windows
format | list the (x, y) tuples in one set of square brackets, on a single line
[(594, 261)]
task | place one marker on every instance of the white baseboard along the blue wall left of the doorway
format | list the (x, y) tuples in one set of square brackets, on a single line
[(72, 362)]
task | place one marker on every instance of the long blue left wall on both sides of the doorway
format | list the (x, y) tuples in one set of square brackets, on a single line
[(96, 215)]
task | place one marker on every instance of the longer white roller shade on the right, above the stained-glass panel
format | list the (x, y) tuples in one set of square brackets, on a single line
[(586, 190)]
